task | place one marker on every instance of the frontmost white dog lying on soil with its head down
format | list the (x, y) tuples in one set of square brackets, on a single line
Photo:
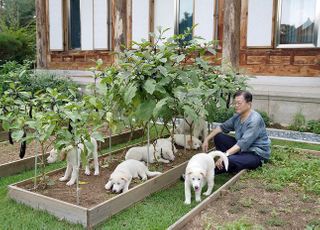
[(121, 177)]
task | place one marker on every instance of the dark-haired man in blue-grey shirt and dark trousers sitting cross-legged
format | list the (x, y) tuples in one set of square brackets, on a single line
[(251, 145)]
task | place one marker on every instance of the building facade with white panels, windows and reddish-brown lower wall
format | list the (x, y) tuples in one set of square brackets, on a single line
[(276, 37)]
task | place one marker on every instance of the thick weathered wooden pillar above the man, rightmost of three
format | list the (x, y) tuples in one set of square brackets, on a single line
[(231, 33)]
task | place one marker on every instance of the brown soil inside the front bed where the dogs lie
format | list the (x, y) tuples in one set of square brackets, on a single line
[(92, 191)]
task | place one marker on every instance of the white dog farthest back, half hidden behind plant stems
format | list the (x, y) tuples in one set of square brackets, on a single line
[(200, 128)]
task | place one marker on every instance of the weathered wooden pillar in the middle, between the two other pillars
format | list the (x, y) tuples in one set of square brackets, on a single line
[(120, 24)]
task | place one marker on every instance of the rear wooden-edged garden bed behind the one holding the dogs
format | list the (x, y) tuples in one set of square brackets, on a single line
[(17, 165)]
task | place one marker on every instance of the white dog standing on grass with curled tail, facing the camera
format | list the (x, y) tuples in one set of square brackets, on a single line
[(199, 171)]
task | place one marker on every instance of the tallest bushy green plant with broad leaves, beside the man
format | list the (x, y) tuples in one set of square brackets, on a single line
[(168, 78)]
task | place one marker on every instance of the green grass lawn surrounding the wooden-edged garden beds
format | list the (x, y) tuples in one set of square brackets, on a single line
[(163, 208)]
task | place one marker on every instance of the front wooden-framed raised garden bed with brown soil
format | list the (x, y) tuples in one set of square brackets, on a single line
[(96, 204)]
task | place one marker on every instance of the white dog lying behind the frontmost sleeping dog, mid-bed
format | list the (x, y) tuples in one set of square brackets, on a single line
[(161, 153)]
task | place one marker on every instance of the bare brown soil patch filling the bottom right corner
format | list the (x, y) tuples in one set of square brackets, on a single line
[(256, 207)]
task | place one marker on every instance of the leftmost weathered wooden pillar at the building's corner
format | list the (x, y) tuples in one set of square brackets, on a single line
[(41, 31)]
